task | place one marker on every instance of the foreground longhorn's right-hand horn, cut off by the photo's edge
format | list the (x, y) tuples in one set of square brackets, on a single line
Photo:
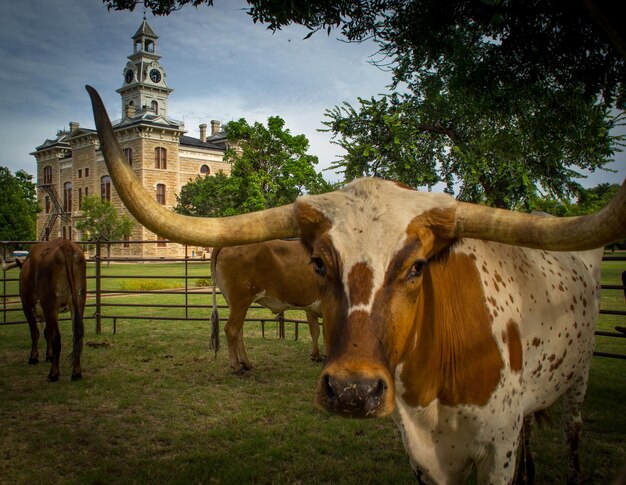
[(551, 233)]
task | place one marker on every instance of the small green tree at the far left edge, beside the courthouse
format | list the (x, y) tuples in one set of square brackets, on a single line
[(18, 206)]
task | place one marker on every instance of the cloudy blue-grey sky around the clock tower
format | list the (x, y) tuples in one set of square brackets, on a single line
[(219, 63)]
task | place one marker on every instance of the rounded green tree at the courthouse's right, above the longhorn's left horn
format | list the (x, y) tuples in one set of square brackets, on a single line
[(270, 167)]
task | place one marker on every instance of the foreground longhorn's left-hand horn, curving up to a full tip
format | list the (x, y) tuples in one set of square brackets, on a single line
[(197, 231)]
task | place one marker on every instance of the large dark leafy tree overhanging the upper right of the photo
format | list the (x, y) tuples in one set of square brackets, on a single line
[(498, 99)]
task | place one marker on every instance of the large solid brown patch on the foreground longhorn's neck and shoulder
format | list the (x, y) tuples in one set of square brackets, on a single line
[(455, 357)]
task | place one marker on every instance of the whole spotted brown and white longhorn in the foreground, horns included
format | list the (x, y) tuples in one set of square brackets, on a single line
[(458, 320)]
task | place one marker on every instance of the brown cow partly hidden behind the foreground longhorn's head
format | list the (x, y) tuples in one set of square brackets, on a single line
[(275, 274)]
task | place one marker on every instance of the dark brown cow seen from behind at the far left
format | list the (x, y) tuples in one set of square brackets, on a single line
[(52, 281)]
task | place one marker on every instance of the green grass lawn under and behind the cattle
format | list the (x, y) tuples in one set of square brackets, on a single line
[(157, 406)]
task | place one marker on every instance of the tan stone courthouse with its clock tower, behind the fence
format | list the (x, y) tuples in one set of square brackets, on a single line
[(71, 167)]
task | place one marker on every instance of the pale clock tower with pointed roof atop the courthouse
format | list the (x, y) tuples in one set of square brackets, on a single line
[(144, 90)]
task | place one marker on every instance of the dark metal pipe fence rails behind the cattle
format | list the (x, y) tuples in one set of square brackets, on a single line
[(103, 309)]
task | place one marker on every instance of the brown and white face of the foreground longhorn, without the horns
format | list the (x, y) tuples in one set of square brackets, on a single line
[(369, 243)]
